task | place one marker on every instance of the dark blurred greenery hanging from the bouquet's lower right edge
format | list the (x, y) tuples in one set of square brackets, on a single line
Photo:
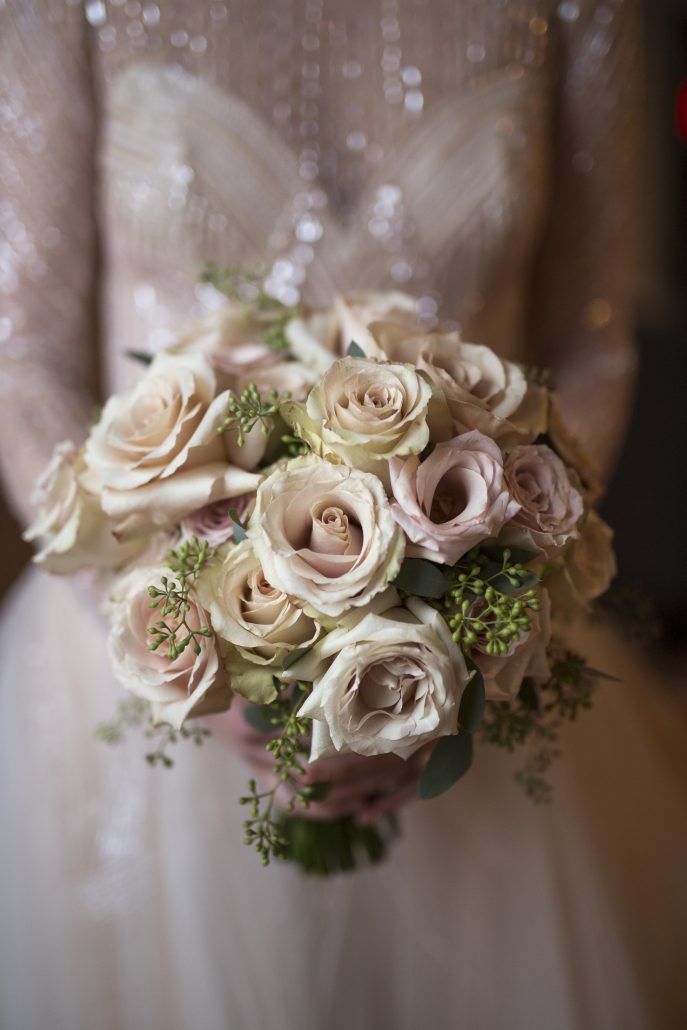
[(536, 718)]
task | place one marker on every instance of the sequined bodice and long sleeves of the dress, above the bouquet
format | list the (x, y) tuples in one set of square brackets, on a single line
[(477, 155)]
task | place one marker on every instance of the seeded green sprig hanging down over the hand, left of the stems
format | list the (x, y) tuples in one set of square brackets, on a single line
[(264, 830)]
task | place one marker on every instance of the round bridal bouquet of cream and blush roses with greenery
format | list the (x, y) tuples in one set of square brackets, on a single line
[(367, 530)]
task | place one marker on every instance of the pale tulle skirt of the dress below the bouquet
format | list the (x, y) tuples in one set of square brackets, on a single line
[(129, 901)]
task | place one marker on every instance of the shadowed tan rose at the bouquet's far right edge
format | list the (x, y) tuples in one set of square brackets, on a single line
[(590, 569)]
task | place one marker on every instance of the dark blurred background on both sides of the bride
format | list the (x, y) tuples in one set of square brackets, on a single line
[(648, 480)]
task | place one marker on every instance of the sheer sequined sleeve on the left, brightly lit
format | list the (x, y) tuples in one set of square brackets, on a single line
[(47, 237)]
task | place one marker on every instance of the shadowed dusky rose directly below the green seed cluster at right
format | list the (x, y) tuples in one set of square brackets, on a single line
[(527, 657)]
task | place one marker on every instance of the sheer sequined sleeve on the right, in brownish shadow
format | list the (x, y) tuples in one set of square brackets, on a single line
[(585, 290)]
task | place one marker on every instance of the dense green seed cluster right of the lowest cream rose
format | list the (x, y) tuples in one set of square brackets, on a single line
[(490, 601)]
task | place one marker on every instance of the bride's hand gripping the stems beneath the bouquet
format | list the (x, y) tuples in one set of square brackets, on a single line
[(366, 788)]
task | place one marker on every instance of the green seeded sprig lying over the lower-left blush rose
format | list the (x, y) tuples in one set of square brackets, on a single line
[(173, 599)]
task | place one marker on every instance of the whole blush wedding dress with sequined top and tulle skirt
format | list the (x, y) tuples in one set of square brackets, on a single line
[(477, 155)]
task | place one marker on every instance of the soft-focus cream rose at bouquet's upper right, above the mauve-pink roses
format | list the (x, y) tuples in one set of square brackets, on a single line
[(484, 392)]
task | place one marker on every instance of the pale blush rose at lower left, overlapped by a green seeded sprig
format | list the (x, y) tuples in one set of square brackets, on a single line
[(191, 685)]
